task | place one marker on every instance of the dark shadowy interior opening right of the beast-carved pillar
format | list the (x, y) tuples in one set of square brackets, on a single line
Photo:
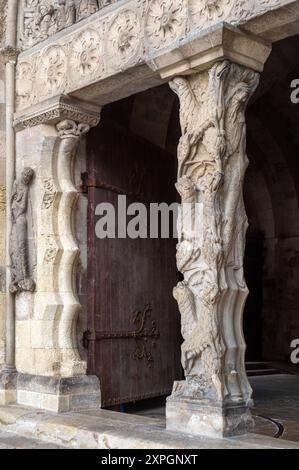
[(271, 318)]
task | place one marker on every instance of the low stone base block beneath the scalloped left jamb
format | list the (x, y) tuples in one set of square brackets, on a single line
[(59, 394)]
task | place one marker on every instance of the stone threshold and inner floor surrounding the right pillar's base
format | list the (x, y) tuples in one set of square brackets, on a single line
[(276, 411)]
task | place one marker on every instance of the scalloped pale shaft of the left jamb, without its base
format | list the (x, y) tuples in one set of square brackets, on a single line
[(46, 320)]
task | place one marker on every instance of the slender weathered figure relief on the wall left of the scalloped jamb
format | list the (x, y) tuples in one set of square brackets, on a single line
[(18, 248)]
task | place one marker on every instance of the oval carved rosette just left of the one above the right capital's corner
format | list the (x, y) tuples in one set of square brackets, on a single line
[(124, 37)]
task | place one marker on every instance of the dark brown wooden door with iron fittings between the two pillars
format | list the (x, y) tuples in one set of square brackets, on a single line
[(134, 324)]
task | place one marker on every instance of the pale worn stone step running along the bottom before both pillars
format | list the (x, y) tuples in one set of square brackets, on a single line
[(105, 429)]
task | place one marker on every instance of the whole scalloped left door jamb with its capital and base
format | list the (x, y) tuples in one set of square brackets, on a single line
[(51, 373)]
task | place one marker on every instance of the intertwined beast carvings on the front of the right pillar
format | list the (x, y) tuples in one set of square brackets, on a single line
[(212, 163)]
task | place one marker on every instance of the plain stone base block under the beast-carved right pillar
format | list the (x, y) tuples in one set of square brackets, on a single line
[(202, 418)]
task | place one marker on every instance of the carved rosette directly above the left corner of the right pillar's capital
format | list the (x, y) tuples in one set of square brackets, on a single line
[(166, 21)]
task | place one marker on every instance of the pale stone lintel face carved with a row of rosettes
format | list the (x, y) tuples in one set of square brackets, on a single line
[(126, 34)]
